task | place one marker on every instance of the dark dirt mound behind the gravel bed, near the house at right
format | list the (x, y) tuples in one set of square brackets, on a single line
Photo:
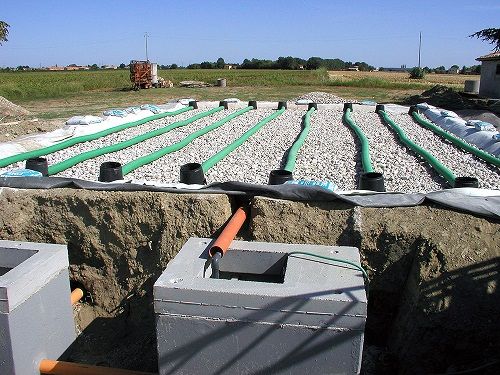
[(441, 96)]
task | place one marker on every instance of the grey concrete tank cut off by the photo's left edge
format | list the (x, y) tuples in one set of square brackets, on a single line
[(36, 317)]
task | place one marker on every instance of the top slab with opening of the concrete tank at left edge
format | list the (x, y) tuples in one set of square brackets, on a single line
[(31, 266)]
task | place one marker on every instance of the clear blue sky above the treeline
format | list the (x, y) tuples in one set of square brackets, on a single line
[(382, 33)]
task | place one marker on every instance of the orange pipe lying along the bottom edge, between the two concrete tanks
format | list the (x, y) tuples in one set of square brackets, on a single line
[(50, 367)]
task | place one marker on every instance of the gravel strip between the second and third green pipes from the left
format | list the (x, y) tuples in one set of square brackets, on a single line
[(90, 168)]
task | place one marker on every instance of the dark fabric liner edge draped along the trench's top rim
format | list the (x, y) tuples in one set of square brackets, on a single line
[(483, 206)]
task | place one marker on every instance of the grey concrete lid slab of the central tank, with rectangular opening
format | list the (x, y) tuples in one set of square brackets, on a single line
[(313, 290)]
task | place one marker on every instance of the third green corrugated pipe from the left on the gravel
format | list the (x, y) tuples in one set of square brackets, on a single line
[(129, 167)]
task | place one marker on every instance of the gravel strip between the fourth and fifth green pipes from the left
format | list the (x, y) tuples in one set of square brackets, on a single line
[(263, 152)]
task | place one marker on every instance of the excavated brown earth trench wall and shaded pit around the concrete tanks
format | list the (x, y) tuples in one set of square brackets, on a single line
[(434, 297)]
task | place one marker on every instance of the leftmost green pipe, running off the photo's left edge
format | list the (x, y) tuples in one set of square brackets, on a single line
[(84, 138)]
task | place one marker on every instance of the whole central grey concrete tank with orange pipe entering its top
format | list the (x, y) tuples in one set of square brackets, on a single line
[(270, 312)]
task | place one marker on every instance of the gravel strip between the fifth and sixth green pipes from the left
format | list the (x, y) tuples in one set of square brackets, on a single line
[(329, 152)]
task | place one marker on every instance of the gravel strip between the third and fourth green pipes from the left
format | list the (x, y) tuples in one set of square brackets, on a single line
[(166, 169)]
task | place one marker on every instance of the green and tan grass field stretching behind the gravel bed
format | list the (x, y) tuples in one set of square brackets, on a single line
[(62, 94)]
